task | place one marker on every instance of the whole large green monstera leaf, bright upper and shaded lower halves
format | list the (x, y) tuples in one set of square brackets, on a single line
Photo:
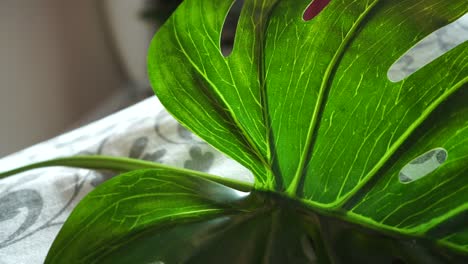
[(349, 167)]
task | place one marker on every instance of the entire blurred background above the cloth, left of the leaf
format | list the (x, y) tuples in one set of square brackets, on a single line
[(66, 63)]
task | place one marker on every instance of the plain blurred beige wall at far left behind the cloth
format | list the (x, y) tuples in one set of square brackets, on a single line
[(55, 67)]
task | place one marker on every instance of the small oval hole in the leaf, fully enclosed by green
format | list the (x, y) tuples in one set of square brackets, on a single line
[(423, 165)]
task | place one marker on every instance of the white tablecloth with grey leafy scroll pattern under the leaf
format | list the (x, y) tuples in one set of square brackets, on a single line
[(35, 204)]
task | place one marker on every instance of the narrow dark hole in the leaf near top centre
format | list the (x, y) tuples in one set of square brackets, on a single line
[(230, 26)]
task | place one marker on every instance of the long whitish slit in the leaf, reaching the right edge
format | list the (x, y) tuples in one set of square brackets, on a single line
[(429, 49)]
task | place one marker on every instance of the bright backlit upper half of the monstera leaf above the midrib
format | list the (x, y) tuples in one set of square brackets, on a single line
[(308, 107)]
